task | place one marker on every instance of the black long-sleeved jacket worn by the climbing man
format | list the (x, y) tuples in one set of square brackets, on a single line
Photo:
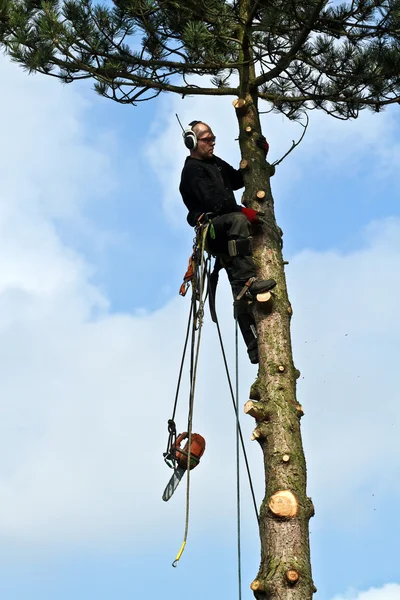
[(207, 186)]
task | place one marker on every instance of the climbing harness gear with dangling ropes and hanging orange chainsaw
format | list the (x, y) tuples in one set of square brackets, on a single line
[(200, 277)]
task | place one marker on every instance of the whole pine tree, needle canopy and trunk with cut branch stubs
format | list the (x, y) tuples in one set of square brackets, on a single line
[(292, 57)]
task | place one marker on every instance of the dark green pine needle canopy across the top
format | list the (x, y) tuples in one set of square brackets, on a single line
[(340, 57)]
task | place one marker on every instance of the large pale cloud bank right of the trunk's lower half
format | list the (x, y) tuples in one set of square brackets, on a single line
[(346, 336)]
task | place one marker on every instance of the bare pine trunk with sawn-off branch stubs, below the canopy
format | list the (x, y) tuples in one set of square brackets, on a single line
[(285, 570)]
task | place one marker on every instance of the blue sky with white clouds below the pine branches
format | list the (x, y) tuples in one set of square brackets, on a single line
[(93, 246)]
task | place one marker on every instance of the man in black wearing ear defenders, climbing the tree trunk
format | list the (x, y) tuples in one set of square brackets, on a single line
[(207, 185)]
